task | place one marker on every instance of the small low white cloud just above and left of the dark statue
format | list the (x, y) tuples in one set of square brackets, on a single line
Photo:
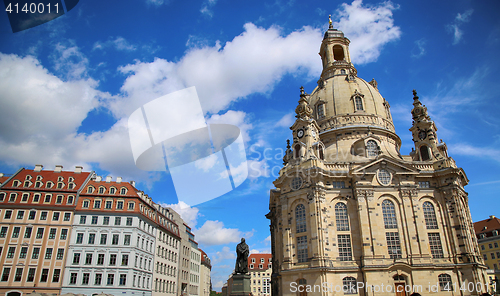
[(214, 233)]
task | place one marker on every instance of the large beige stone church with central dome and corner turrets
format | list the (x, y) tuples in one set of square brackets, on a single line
[(350, 214)]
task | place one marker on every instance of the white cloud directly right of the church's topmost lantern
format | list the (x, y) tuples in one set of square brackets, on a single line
[(368, 27)]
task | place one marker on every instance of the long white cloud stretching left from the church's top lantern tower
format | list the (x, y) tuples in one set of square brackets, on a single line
[(251, 63)]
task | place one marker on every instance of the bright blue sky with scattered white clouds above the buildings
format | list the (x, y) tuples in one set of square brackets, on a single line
[(68, 86)]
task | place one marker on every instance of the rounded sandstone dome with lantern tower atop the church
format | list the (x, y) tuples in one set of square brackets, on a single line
[(350, 112)]
